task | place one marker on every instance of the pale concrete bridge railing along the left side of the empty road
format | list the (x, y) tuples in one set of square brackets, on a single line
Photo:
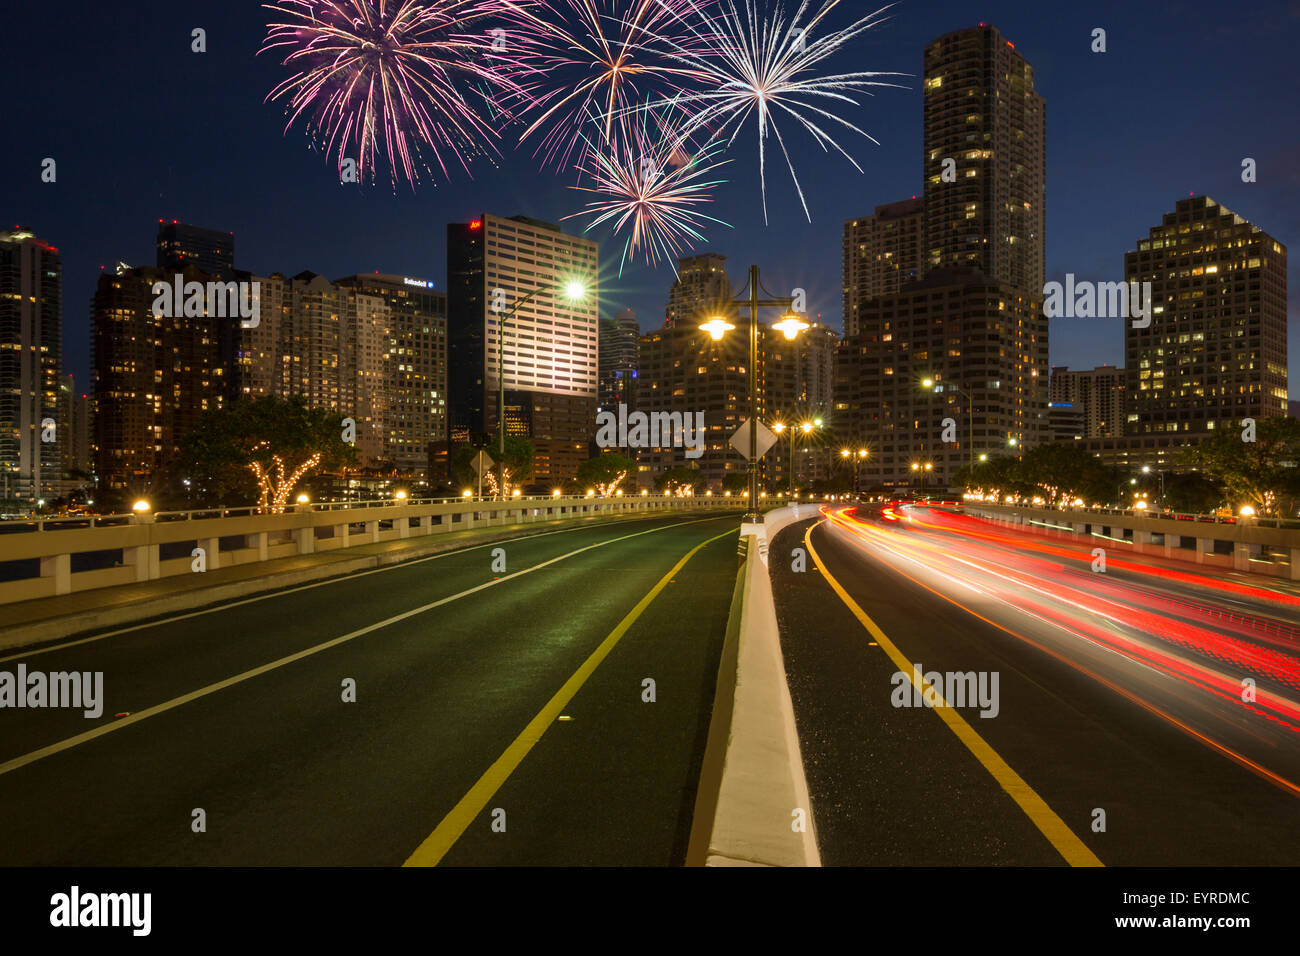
[(60, 556)]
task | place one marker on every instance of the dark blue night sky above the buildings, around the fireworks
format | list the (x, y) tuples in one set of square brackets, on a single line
[(145, 129)]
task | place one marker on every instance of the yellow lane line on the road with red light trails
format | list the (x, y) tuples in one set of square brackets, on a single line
[(1064, 840)]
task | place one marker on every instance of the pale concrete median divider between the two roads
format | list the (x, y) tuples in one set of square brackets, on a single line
[(752, 782)]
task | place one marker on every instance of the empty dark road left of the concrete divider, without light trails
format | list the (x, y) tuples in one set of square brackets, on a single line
[(463, 674)]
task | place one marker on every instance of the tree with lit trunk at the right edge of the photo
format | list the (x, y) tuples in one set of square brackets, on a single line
[(1264, 474)]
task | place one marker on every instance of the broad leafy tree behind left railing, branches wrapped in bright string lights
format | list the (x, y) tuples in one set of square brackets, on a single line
[(262, 448)]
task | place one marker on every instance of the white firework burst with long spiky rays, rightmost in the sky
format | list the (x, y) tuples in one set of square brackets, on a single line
[(770, 68)]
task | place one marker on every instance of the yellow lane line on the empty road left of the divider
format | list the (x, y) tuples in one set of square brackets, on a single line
[(465, 814)]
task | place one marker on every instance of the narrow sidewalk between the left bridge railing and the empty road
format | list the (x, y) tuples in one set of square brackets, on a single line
[(50, 618)]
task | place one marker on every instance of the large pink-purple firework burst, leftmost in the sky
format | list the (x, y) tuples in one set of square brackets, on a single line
[(383, 77)]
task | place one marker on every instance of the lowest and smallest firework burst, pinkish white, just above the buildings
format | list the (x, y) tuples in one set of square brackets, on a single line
[(649, 181)]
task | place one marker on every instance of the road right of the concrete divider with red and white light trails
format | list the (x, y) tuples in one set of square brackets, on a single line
[(1119, 693)]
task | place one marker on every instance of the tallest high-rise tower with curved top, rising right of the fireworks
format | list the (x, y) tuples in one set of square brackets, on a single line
[(983, 114)]
